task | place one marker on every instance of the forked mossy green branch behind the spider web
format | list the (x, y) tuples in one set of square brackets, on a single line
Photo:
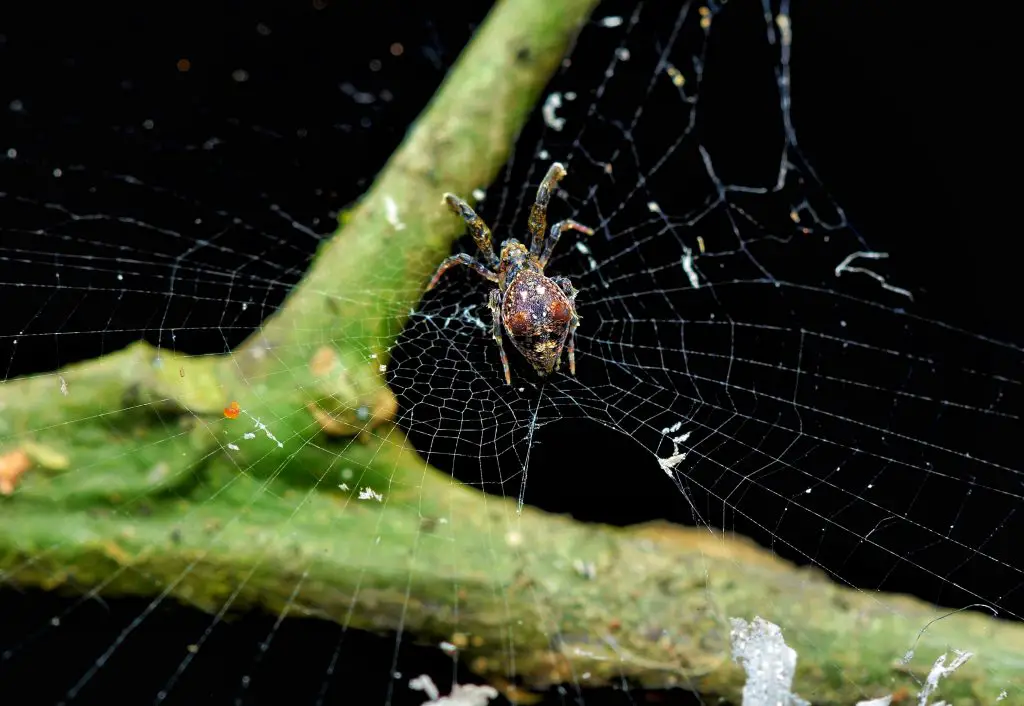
[(137, 481)]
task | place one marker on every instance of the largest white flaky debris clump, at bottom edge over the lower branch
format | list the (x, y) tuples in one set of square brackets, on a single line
[(770, 663)]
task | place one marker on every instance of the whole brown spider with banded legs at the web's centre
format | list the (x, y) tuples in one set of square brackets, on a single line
[(538, 312)]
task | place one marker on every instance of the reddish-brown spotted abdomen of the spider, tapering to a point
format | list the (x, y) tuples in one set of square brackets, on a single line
[(537, 315)]
